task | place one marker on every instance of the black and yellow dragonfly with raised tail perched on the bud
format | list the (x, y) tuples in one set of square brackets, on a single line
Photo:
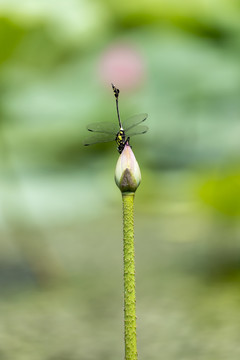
[(118, 131)]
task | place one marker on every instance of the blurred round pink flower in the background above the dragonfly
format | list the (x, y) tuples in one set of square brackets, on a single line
[(122, 65)]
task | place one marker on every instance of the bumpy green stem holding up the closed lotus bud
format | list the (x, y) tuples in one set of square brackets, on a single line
[(130, 336)]
